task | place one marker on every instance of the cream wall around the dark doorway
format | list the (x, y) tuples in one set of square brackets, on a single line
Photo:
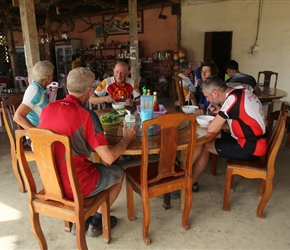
[(241, 17)]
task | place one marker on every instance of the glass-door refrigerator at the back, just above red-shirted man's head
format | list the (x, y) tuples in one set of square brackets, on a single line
[(64, 49)]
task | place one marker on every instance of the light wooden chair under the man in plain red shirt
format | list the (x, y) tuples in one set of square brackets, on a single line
[(50, 199)]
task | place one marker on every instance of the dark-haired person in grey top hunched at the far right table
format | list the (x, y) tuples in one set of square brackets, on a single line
[(236, 77)]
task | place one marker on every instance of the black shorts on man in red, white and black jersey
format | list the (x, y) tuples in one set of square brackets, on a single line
[(228, 147)]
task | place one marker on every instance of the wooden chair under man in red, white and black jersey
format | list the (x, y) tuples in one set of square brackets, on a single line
[(262, 169)]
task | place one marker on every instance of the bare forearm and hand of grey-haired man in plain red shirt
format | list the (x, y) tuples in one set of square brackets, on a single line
[(109, 155)]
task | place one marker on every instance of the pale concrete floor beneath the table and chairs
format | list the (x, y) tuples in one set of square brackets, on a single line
[(211, 227)]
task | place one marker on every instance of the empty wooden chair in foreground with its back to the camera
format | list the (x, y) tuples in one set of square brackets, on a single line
[(162, 177)]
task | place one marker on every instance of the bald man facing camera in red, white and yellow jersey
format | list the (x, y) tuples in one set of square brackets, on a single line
[(118, 88)]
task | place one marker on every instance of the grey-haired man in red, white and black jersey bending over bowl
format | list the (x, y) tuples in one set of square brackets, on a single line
[(240, 123)]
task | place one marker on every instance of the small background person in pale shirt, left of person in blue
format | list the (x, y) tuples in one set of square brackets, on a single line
[(188, 87)]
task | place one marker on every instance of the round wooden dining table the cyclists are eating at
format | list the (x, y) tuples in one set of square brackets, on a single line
[(114, 135)]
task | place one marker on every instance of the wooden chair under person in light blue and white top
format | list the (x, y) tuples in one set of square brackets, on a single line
[(9, 105)]
